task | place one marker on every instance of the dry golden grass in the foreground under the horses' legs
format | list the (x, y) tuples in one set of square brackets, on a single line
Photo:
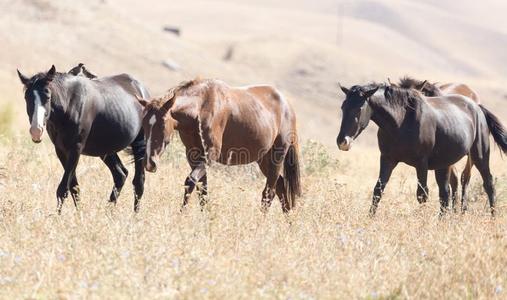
[(327, 248)]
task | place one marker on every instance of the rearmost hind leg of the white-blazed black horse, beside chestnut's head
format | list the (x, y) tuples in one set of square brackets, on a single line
[(138, 150)]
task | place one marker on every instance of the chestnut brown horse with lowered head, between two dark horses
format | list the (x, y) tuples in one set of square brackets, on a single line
[(231, 126)]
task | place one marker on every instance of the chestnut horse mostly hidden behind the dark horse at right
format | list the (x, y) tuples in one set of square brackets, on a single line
[(433, 90)]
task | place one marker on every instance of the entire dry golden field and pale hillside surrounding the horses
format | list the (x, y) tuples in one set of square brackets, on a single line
[(328, 247)]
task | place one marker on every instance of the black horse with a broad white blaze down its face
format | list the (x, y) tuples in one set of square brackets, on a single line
[(97, 117)]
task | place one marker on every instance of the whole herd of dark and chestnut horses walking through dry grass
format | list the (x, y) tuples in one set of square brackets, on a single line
[(424, 125)]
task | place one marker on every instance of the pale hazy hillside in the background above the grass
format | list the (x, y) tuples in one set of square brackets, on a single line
[(304, 47)]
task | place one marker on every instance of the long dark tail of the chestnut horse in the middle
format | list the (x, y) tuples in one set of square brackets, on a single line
[(291, 174)]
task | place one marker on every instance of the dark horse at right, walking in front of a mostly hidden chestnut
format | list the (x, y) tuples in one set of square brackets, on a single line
[(428, 133)]
